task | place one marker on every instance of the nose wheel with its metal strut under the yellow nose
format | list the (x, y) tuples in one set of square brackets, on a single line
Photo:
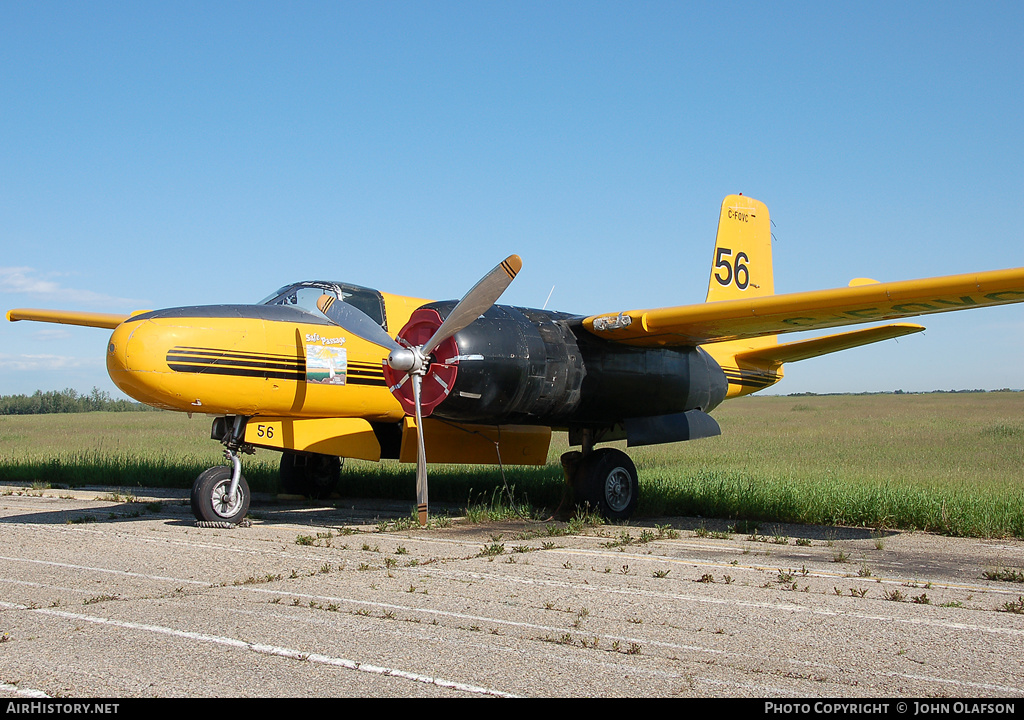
[(222, 494)]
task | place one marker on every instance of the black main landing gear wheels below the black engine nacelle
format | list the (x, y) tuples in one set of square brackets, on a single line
[(605, 480)]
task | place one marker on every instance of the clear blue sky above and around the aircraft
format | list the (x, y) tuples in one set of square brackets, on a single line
[(157, 155)]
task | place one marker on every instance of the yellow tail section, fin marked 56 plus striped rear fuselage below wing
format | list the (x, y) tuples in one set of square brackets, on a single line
[(742, 268)]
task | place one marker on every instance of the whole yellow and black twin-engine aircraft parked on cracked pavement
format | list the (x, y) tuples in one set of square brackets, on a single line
[(318, 372)]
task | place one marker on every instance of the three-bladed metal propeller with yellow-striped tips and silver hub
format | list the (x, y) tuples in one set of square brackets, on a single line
[(415, 361)]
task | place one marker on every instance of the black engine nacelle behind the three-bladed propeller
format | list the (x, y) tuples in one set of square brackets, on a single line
[(536, 367)]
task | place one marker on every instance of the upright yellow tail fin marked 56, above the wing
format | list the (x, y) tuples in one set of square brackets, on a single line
[(742, 266)]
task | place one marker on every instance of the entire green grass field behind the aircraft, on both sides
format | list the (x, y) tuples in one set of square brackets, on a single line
[(951, 463)]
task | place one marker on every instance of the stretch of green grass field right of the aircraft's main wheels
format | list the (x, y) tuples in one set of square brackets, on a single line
[(950, 463)]
